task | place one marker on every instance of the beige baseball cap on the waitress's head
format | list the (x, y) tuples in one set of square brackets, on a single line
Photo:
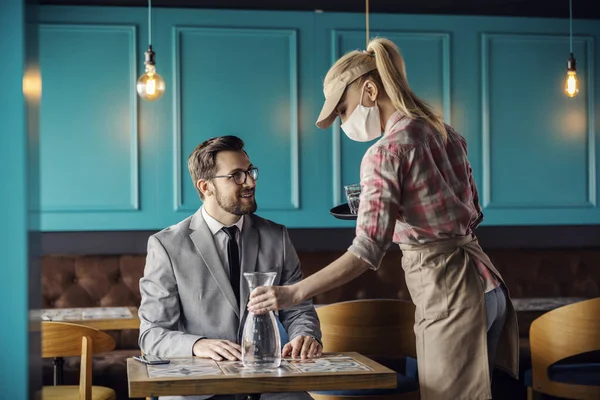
[(334, 90)]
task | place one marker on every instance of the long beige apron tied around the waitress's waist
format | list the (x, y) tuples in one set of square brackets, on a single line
[(450, 320)]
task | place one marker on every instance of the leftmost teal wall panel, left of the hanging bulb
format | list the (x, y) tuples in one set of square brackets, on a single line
[(89, 117)]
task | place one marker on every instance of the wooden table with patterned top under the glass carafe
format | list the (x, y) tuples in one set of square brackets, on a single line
[(212, 378)]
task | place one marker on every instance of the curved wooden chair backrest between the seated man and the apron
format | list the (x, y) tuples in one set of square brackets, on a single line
[(373, 327)]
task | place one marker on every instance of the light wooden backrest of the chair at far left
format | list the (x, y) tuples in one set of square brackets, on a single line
[(62, 339)]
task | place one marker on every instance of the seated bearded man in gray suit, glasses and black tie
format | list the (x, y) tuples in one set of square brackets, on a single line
[(193, 293)]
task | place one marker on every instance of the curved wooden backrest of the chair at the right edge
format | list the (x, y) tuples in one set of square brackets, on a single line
[(561, 333)]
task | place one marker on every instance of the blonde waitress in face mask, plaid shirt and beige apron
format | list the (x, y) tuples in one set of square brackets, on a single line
[(417, 191)]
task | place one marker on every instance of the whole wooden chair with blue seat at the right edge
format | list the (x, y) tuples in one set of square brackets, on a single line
[(560, 334)]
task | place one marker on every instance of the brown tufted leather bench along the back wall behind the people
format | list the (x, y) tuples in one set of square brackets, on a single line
[(113, 280)]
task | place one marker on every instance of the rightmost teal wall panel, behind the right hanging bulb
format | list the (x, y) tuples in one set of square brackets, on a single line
[(538, 143)]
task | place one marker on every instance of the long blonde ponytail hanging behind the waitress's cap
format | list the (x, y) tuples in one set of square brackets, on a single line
[(392, 71)]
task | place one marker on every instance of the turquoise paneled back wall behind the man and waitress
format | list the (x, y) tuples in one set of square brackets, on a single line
[(113, 162)]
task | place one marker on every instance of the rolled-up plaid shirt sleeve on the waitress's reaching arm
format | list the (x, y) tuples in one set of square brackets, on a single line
[(380, 179)]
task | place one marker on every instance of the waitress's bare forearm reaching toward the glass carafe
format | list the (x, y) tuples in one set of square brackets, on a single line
[(339, 272)]
